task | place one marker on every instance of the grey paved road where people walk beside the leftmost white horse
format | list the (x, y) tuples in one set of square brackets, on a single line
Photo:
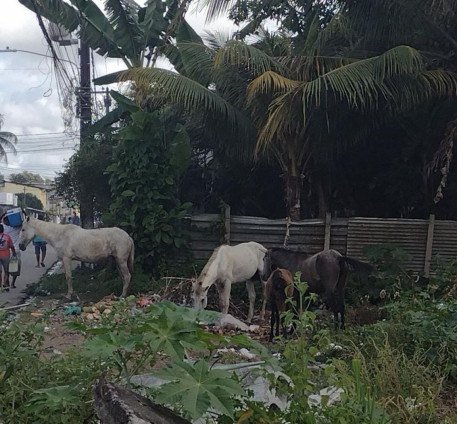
[(29, 274)]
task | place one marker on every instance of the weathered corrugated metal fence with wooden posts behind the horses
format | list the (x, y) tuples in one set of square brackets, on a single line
[(420, 238)]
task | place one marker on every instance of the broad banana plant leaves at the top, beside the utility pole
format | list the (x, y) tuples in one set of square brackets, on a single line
[(122, 30)]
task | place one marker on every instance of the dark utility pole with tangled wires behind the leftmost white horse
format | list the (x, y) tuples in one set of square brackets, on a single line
[(85, 110)]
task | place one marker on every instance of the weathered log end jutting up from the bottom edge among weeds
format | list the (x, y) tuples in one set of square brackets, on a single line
[(118, 405)]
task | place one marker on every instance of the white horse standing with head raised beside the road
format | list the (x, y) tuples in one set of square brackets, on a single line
[(73, 242)]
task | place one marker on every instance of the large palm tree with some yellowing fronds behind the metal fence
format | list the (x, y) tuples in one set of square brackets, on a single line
[(296, 97)]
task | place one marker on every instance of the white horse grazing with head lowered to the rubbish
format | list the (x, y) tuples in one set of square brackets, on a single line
[(227, 265)]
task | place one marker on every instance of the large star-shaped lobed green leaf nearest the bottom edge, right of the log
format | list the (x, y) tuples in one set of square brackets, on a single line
[(197, 389)]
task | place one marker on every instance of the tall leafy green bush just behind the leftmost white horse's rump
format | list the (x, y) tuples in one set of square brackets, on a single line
[(152, 153)]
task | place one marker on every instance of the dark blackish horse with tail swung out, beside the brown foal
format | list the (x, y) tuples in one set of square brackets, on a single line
[(325, 272)]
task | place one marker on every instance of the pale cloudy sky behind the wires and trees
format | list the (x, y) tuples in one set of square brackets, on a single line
[(31, 100)]
